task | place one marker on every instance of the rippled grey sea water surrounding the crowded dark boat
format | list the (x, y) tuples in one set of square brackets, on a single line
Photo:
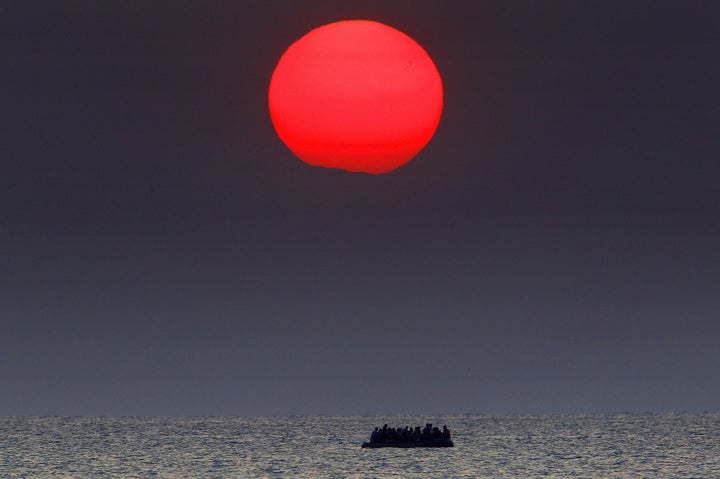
[(592, 446)]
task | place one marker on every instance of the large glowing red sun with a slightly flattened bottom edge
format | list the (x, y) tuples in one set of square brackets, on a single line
[(356, 95)]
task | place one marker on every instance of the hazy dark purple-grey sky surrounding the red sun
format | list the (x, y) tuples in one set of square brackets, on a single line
[(555, 248)]
